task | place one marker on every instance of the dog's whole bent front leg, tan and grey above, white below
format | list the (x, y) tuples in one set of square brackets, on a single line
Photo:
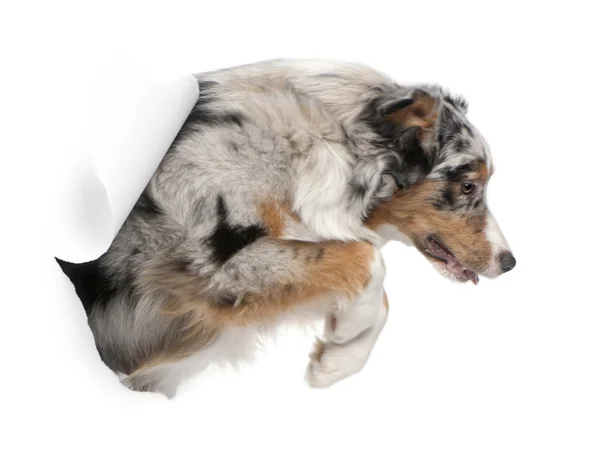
[(292, 276)]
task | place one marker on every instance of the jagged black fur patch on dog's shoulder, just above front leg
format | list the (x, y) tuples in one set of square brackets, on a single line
[(229, 239)]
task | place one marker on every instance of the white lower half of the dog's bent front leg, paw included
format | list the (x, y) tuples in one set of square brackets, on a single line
[(351, 332)]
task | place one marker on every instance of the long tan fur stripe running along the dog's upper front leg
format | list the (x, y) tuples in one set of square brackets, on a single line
[(318, 270)]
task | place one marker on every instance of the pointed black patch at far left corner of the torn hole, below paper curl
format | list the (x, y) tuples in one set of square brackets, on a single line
[(91, 285)]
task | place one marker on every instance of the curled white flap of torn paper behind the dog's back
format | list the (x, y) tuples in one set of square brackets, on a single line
[(131, 123)]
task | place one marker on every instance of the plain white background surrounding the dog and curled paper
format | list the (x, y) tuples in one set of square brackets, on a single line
[(505, 371)]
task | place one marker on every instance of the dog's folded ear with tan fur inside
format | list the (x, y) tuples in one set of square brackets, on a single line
[(418, 109)]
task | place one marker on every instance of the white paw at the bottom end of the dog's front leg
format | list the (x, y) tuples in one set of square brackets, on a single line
[(330, 363)]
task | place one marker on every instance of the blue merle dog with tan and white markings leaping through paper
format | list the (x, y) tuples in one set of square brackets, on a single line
[(272, 205)]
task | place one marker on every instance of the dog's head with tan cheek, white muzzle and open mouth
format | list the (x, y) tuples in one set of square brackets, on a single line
[(444, 212)]
